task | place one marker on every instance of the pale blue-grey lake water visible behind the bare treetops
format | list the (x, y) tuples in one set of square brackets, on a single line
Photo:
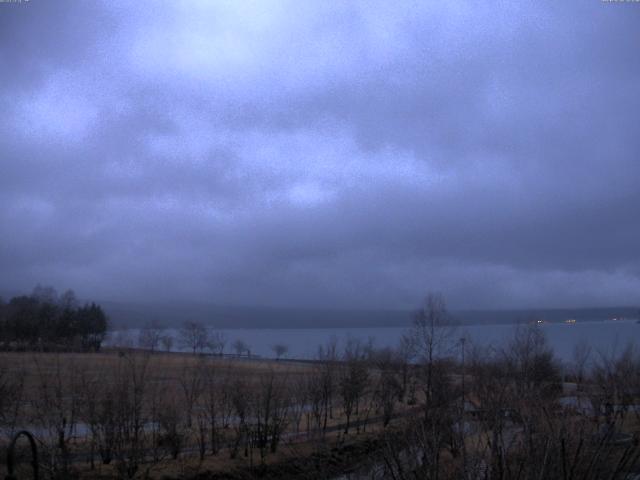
[(605, 337)]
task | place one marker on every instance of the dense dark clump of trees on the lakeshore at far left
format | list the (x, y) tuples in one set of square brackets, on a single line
[(47, 321)]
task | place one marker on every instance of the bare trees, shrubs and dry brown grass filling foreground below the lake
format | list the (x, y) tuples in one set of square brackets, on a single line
[(434, 408)]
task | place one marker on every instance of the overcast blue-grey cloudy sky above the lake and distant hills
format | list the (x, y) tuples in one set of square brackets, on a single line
[(335, 154)]
